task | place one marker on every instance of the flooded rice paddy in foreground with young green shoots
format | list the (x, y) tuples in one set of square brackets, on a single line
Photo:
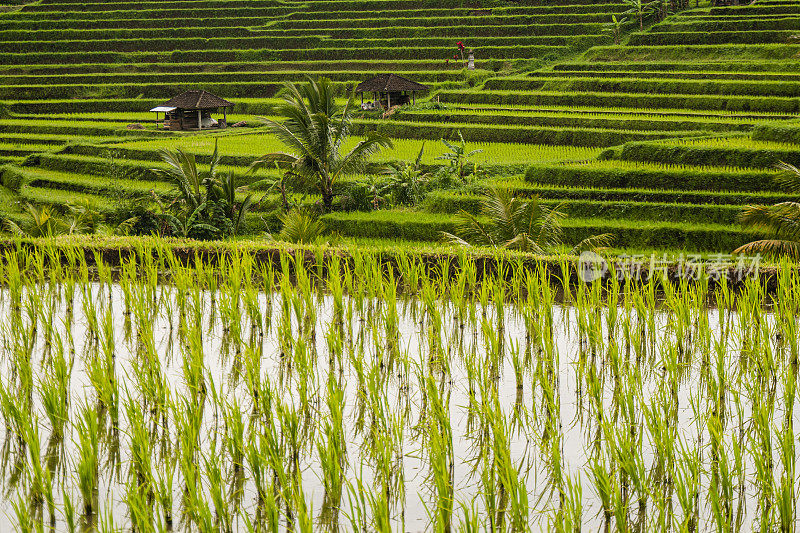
[(160, 397)]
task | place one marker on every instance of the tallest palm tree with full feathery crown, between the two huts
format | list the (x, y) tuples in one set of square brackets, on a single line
[(314, 129)]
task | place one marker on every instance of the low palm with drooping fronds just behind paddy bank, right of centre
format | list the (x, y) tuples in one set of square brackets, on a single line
[(515, 224)]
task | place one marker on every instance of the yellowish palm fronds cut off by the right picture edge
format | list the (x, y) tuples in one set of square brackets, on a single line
[(781, 222)]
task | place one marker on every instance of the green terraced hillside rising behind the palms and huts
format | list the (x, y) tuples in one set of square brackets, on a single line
[(660, 139)]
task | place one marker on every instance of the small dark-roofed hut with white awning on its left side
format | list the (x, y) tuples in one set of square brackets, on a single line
[(192, 111)]
